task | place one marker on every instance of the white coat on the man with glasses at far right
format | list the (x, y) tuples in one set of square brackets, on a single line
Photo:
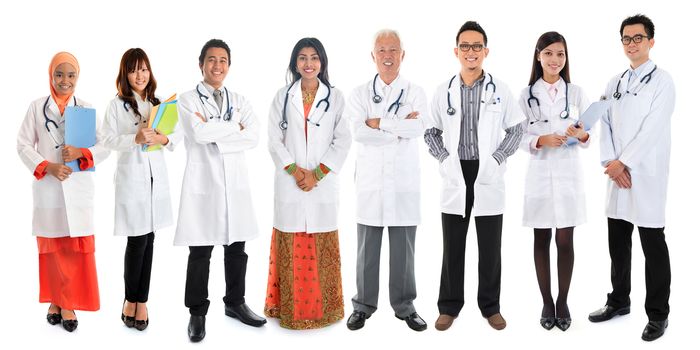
[(637, 132)]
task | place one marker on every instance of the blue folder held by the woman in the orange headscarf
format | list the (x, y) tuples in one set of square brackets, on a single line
[(80, 130)]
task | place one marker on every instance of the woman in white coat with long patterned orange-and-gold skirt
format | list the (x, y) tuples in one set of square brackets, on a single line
[(308, 139)]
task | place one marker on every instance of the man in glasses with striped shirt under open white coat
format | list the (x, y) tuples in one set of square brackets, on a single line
[(470, 113)]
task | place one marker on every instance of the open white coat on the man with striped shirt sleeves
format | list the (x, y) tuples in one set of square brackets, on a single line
[(498, 111)]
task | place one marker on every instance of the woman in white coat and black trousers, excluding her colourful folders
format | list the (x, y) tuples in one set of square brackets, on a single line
[(142, 193)]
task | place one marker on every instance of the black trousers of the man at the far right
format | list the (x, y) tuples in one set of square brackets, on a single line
[(657, 267)]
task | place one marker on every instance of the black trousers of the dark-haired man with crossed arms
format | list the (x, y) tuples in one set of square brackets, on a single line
[(197, 284)]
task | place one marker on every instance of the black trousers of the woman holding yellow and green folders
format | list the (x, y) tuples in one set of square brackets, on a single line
[(138, 259)]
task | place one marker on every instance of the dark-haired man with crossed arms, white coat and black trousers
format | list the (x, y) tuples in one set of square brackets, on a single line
[(216, 206)]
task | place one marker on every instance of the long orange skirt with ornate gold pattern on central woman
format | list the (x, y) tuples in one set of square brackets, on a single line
[(304, 287)]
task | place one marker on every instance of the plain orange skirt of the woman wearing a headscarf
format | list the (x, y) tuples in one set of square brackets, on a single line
[(67, 273)]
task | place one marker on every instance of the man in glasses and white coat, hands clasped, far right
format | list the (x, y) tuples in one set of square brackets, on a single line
[(635, 150)]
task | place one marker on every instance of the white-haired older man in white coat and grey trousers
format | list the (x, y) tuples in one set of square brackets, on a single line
[(388, 114)]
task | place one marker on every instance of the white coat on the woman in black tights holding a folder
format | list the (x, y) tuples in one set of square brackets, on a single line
[(554, 191)]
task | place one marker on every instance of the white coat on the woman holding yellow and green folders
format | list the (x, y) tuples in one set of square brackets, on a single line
[(140, 206)]
